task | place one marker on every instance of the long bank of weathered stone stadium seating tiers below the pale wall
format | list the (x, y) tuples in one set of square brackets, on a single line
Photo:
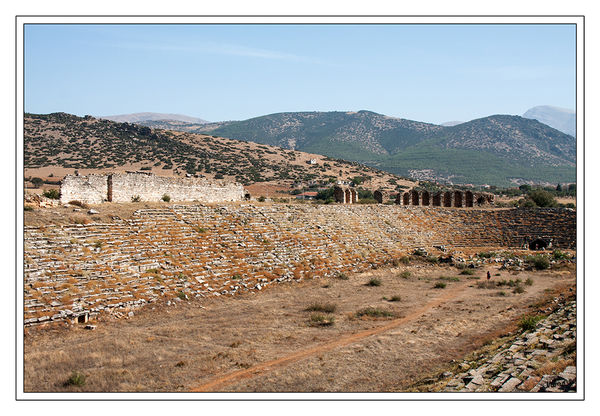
[(196, 251)]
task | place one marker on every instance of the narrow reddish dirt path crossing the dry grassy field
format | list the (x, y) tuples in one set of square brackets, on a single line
[(269, 366)]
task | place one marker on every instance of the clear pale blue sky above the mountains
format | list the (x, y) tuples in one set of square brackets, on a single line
[(431, 73)]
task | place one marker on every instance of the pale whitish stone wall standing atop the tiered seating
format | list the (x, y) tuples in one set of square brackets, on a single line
[(95, 189)]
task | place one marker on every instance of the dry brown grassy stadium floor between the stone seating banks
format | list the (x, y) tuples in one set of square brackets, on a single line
[(265, 341)]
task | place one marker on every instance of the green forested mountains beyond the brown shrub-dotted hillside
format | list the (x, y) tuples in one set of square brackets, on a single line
[(490, 150)]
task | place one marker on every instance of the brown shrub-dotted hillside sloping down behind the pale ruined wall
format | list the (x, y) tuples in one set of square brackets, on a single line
[(59, 143)]
